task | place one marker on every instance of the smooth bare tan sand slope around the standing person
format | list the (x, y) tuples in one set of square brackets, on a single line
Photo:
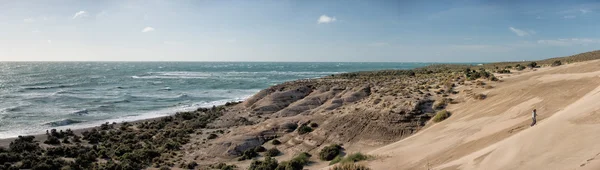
[(494, 133)]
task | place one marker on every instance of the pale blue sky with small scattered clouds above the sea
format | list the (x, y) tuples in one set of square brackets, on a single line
[(302, 30)]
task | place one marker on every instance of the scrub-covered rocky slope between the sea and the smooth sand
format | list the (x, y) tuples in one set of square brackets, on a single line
[(374, 109)]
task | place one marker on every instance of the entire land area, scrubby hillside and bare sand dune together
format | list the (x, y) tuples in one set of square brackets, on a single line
[(392, 116)]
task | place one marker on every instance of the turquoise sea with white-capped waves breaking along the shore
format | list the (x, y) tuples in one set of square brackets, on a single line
[(36, 96)]
